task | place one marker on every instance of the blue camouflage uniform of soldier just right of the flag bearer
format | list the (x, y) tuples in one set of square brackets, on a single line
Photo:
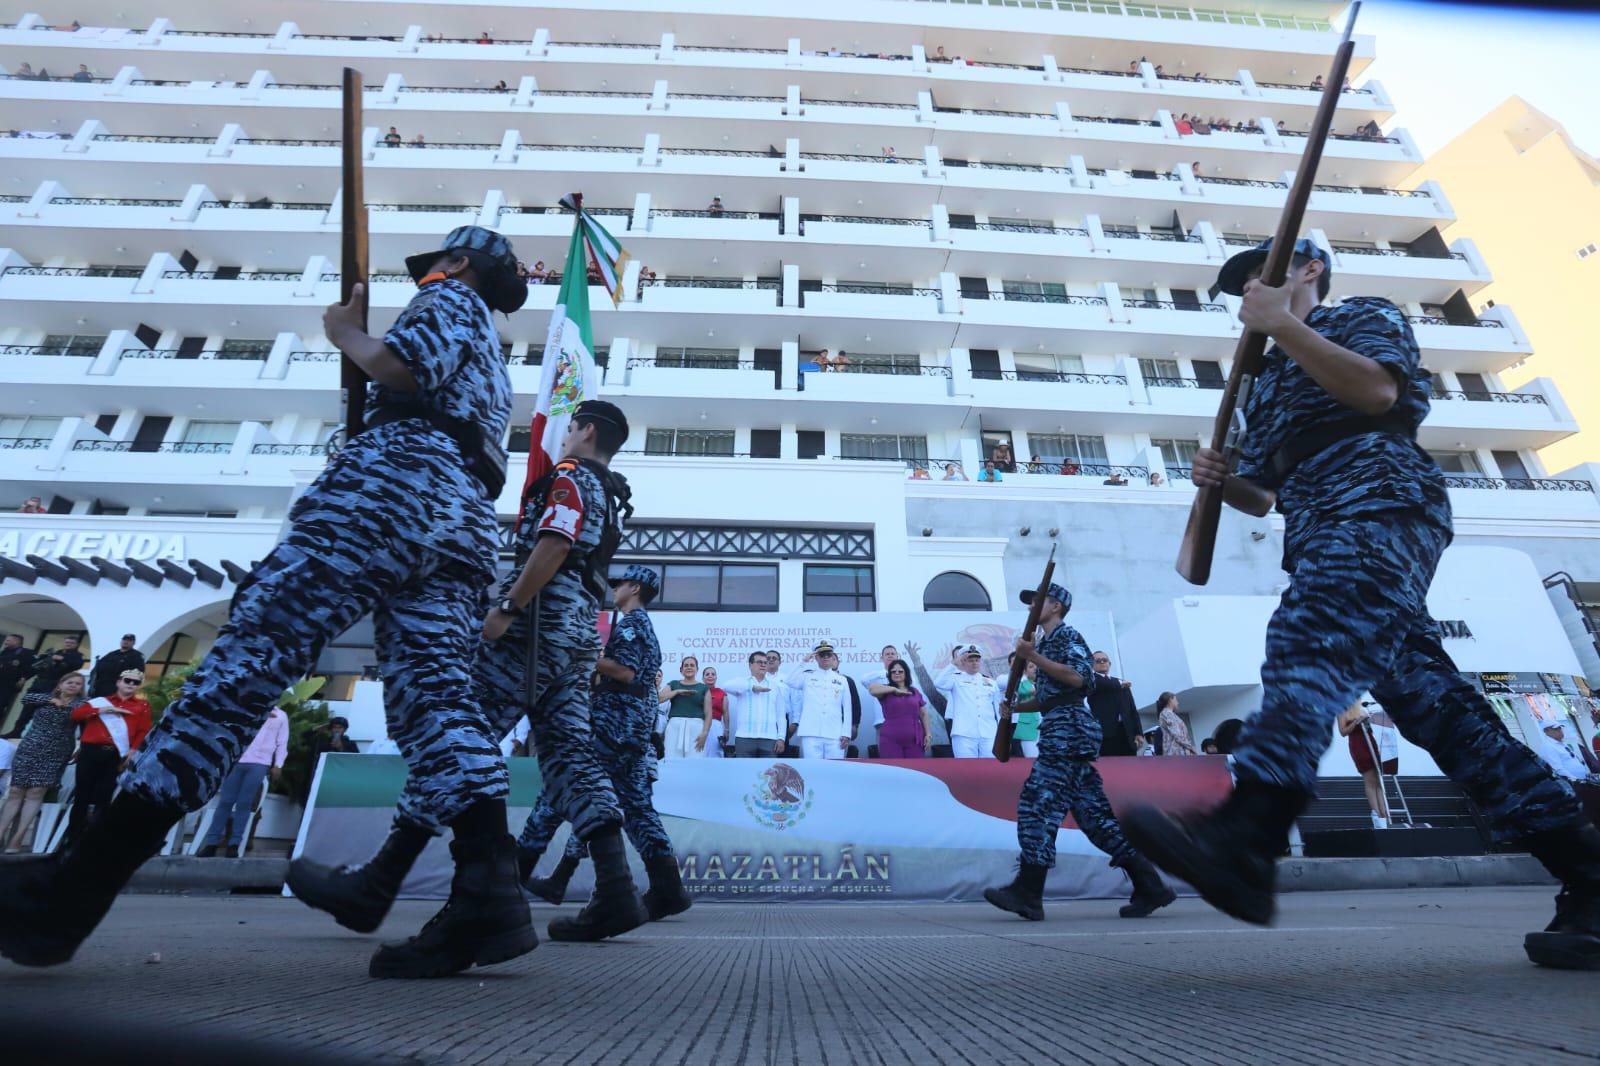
[(623, 723)]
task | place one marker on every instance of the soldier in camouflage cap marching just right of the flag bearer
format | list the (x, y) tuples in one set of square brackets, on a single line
[(625, 716)]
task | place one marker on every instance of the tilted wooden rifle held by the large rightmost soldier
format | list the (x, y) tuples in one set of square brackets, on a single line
[(1194, 556)]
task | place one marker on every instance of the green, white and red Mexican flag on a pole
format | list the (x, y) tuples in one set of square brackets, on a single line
[(569, 374)]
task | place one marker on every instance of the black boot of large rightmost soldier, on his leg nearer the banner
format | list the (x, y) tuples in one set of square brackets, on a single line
[(1228, 854)]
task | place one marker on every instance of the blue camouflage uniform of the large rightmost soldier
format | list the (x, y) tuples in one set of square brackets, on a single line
[(1366, 524)]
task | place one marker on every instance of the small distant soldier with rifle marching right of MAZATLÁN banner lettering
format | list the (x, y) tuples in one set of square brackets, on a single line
[(1065, 777)]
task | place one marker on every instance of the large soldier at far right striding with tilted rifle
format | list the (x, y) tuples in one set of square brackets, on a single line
[(1334, 420)]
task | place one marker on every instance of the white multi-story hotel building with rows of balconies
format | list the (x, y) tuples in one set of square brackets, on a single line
[(1006, 215)]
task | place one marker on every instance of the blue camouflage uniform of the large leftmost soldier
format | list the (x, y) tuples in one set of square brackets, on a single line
[(396, 527)]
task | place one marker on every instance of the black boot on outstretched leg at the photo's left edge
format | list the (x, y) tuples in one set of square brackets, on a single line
[(50, 905)]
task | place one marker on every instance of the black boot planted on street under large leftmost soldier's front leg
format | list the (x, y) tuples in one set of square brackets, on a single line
[(484, 921)]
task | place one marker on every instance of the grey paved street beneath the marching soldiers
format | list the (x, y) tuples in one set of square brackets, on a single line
[(1430, 976)]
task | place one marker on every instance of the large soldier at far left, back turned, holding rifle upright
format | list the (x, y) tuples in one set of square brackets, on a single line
[(401, 526)]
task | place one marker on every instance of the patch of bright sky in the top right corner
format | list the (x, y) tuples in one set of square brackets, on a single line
[(1447, 65)]
